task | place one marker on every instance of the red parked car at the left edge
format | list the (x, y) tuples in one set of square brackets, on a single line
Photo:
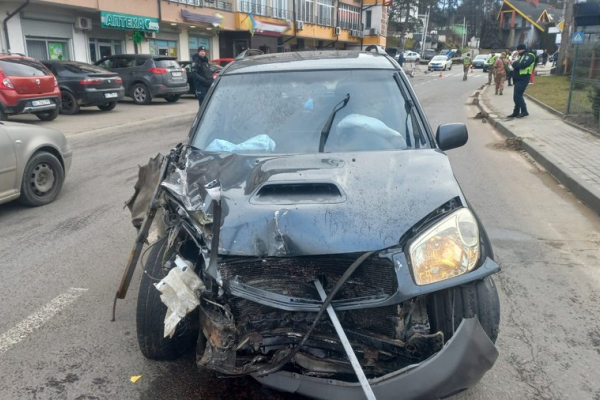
[(27, 86)]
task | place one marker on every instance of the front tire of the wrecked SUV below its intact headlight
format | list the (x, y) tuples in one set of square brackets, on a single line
[(475, 298)]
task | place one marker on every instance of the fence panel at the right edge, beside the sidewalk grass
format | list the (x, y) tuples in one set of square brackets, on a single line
[(583, 105)]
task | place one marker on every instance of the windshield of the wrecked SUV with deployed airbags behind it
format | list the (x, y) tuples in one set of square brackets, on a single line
[(286, 112)]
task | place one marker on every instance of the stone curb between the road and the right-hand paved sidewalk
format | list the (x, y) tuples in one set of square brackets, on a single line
[(589, 196)]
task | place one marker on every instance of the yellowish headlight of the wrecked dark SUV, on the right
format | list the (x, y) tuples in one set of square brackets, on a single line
[(447, 249)]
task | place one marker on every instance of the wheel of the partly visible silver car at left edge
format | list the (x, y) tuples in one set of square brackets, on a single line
[(42, 180)]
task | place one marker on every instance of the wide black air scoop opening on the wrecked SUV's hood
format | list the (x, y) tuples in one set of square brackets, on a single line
[(298, 193)]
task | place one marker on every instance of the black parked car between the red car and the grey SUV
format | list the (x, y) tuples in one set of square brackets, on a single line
[(86, 85)]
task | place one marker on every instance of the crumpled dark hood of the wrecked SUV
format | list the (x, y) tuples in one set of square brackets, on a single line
[(381, 196)]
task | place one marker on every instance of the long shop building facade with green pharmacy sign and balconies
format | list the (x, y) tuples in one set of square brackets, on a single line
[(87, 30)]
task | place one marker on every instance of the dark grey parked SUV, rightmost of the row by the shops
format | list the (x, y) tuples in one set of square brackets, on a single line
[(146, 76)]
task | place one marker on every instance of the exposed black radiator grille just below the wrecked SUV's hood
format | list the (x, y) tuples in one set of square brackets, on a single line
[(295, 276)]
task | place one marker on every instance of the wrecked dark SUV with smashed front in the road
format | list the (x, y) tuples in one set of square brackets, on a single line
[(312, 234)]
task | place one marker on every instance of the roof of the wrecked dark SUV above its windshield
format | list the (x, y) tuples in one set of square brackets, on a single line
[(311, 60)]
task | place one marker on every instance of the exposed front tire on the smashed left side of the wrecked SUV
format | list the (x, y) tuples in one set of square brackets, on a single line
[(151, 311)]
